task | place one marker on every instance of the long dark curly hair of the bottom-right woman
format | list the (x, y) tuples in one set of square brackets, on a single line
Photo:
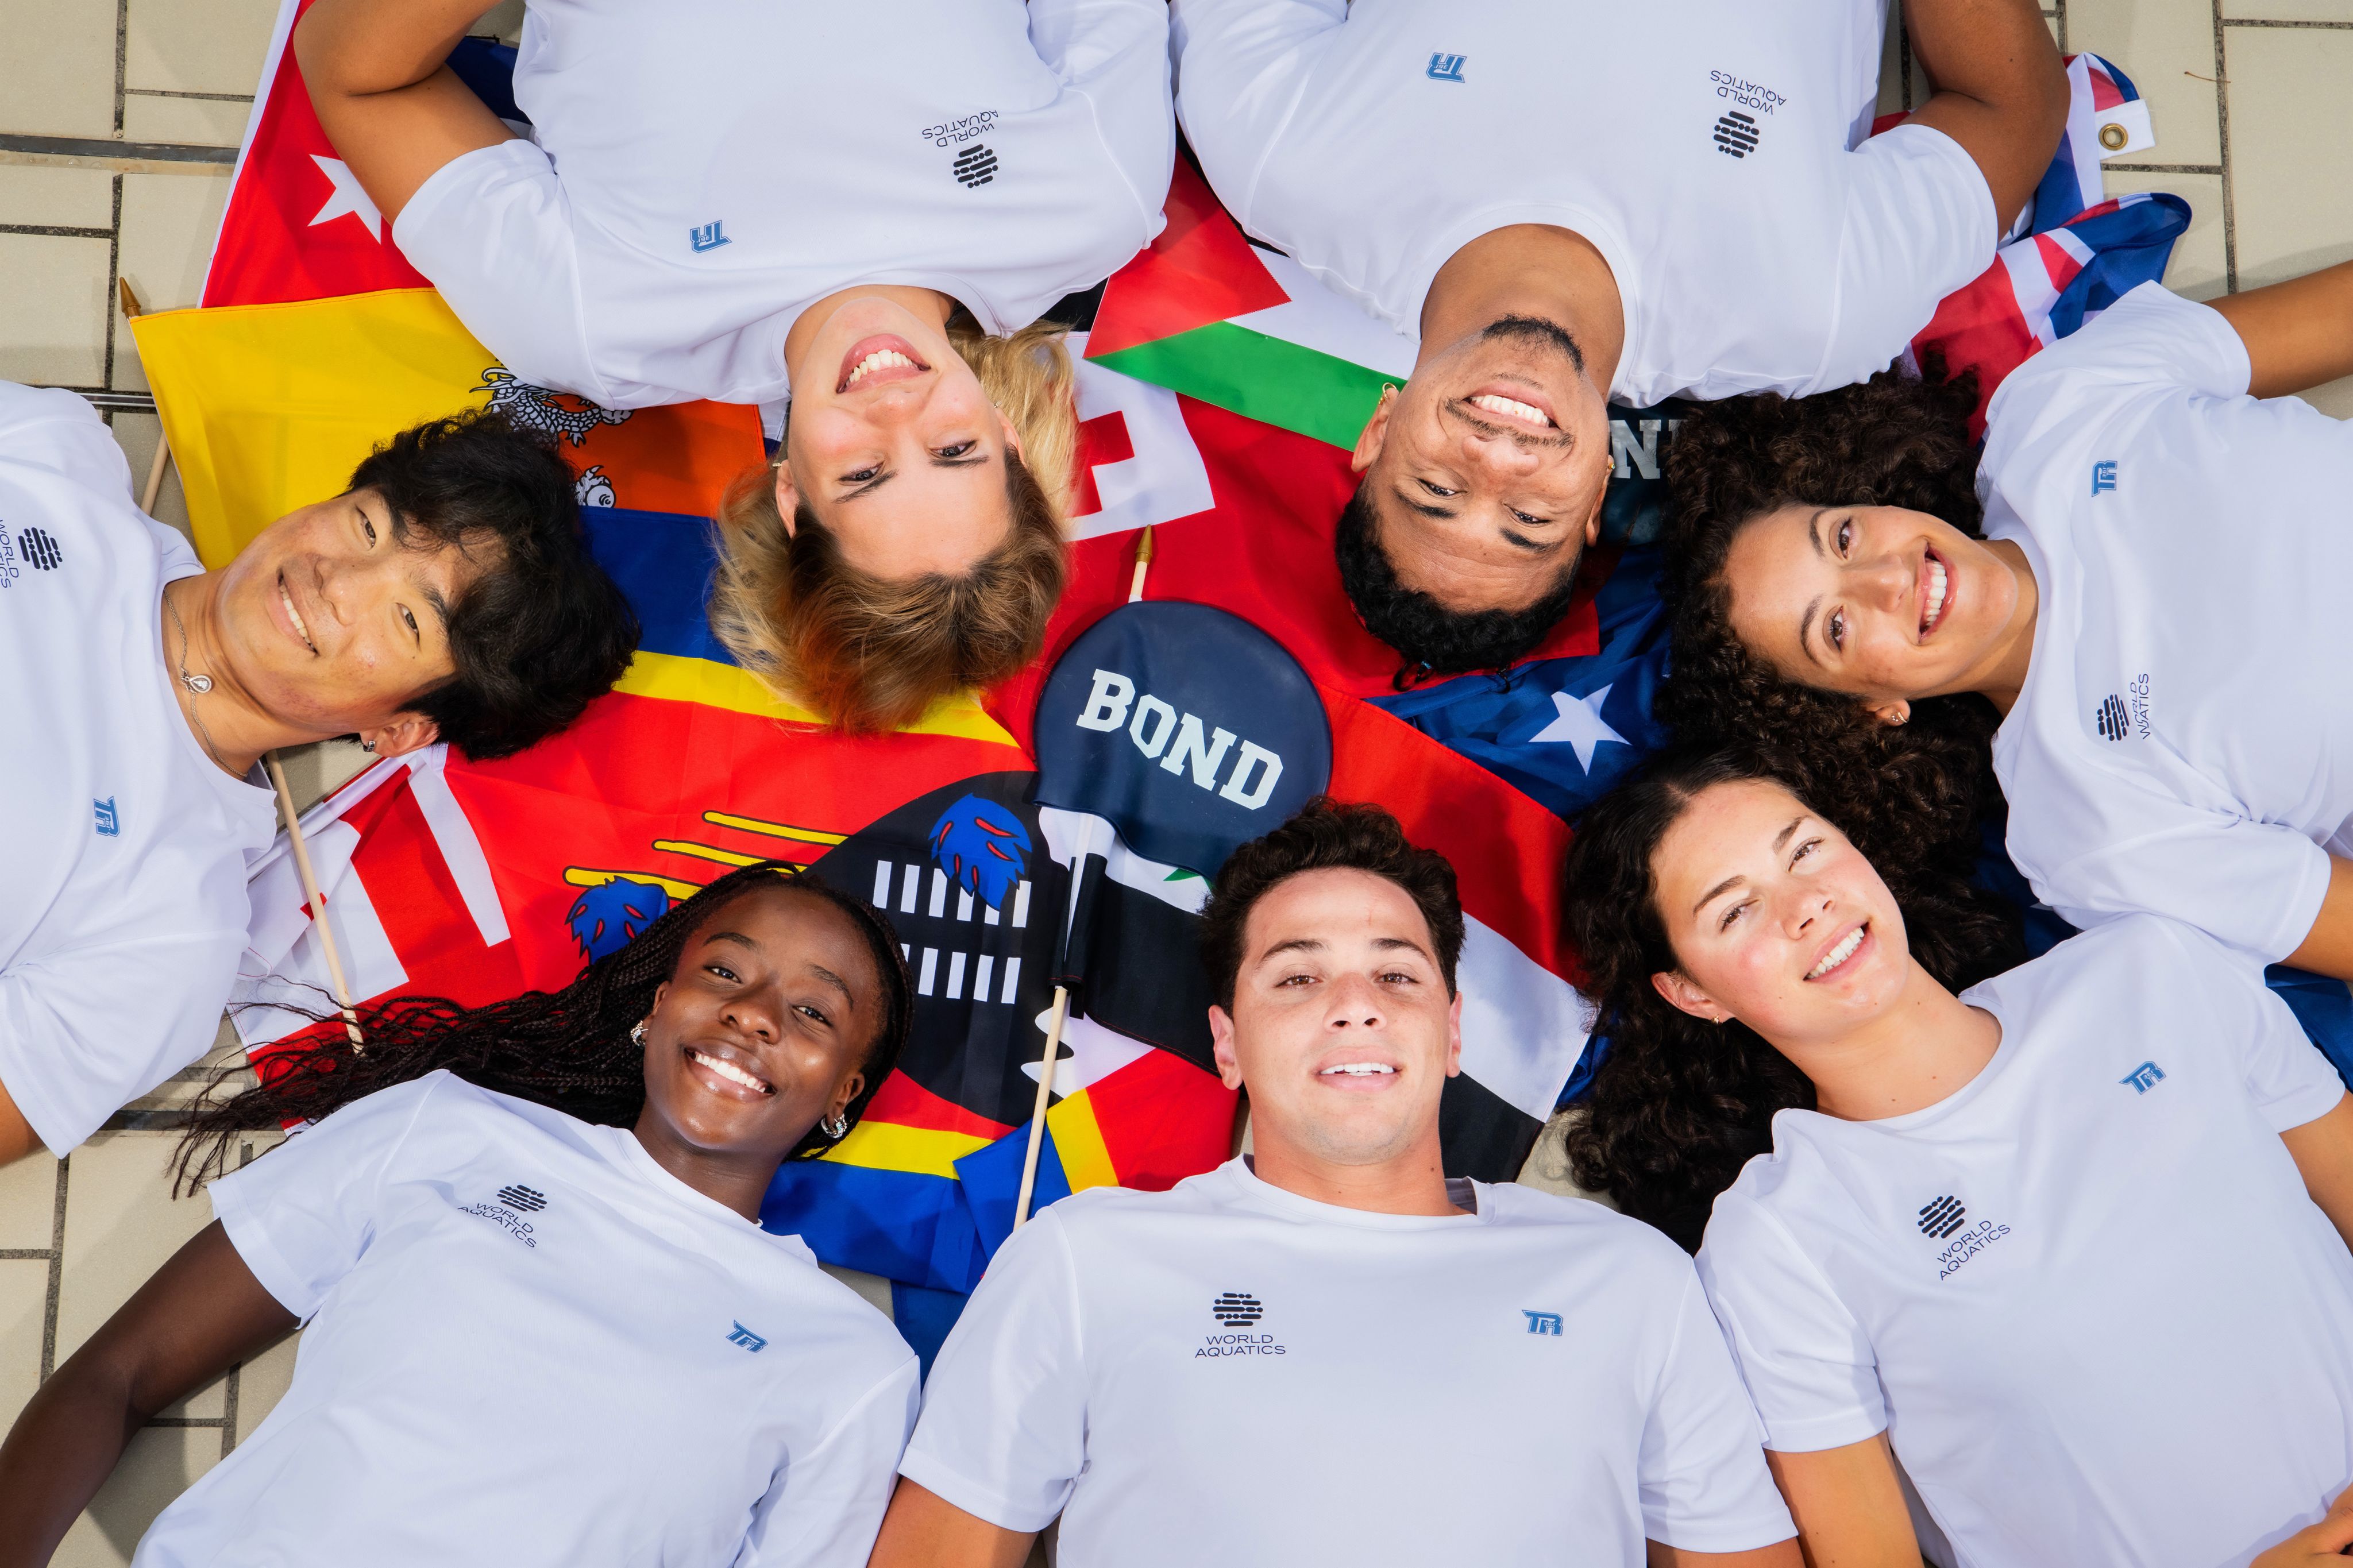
[(1679, 1104)]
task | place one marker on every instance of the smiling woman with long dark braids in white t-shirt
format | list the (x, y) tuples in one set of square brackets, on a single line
[(545, 1325)]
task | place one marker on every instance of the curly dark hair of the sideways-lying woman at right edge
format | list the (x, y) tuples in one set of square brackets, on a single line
[(1893, 441)]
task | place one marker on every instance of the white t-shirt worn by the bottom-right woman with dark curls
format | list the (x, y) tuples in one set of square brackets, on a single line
[(2086, 1296)]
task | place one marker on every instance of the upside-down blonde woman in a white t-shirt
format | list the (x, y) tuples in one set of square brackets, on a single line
[(855, 208)]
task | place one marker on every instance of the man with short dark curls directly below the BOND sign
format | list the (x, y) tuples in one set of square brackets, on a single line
[(1328, 1353)]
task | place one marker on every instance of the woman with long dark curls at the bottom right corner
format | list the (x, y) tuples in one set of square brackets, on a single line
[(2067, 1245)]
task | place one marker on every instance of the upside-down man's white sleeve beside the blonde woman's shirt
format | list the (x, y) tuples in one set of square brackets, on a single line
[(1241, 67)]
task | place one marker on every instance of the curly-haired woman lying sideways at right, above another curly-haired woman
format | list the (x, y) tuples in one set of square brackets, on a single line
[(2145, 636)]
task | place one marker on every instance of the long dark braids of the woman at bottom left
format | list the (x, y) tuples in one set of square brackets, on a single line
[(568, 1050)]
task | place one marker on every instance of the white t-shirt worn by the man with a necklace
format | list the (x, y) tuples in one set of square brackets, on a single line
[(124, 906)]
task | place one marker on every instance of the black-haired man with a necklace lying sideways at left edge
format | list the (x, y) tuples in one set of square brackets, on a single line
[(446, 596)]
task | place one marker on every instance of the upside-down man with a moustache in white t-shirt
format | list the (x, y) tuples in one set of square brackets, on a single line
[(1573, 203)]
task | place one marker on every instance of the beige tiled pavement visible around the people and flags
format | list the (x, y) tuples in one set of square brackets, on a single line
[(2246, 100)]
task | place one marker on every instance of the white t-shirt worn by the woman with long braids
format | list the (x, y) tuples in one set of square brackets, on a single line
[(531, 1346)]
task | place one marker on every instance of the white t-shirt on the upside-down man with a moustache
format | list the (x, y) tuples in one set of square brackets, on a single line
[(1714, 159)]
